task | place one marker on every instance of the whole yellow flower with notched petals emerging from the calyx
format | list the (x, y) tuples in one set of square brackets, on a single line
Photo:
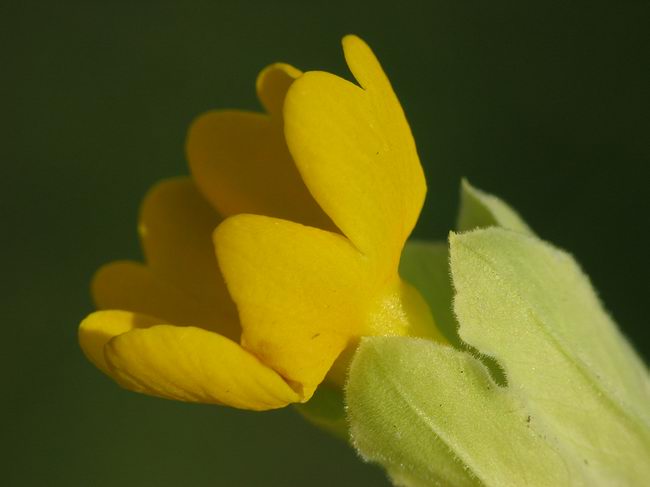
[(319, 196)]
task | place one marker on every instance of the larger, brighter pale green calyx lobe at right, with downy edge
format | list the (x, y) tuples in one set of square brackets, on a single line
[(530, 306)]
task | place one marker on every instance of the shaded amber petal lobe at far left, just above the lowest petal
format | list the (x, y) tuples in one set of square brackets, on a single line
[(133, 287)]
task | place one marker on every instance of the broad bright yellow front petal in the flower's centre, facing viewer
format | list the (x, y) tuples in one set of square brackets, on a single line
[(302, 293)]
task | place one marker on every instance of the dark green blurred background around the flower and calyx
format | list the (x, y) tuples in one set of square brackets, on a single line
[(544, 104)]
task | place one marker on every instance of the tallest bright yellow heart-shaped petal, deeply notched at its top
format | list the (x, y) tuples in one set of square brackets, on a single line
[(356, 154)]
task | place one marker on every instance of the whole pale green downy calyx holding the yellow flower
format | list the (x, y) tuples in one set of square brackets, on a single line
[(576, 406)]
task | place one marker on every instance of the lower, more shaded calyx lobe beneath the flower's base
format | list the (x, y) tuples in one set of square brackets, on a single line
[(442, 420)]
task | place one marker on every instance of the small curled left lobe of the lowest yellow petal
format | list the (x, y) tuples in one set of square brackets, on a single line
[(101, 326)]
